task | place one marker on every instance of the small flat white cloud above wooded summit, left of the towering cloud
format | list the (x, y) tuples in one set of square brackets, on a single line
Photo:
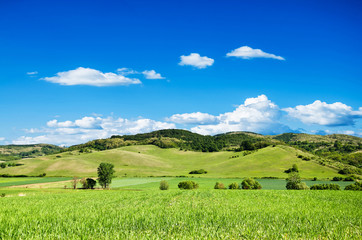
[(192, 118)]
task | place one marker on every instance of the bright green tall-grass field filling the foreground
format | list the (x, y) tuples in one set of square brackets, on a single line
[(177, 214)]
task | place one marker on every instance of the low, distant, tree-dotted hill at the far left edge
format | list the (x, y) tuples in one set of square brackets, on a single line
[(14, 152)]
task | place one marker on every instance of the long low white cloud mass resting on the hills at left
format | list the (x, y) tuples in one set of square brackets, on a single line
[(89, 128)]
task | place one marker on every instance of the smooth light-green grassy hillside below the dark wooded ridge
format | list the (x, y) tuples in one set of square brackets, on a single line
[(150, 160)]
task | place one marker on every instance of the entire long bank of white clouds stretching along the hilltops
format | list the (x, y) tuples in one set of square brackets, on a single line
[(258, 114)]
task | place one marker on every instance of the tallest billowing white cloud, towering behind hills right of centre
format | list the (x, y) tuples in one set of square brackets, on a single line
[(256, 115)]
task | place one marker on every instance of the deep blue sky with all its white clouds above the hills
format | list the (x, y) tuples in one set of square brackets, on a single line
[(72, 71)]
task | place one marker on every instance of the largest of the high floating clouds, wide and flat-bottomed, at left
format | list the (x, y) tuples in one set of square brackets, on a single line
[(90, 77)]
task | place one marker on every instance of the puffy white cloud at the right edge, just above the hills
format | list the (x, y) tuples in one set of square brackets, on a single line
[(322, 113)]
